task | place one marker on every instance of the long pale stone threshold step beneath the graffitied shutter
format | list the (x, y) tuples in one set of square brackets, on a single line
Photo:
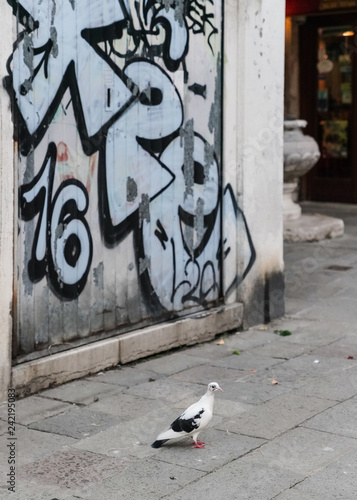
[(78, 362)]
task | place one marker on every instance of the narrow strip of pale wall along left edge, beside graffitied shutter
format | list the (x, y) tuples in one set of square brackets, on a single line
[(6, 210)]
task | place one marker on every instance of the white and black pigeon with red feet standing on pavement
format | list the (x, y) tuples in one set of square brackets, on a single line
[(192, 421)]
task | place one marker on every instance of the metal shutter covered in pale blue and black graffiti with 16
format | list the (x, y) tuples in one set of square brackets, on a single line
[(123, 215)]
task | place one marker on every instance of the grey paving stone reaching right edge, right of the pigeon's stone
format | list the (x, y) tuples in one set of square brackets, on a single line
[(303, 450)]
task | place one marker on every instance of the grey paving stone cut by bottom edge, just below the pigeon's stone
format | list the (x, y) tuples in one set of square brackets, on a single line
[(239, 480)]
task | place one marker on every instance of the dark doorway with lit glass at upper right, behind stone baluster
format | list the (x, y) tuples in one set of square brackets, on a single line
[(328, 85)]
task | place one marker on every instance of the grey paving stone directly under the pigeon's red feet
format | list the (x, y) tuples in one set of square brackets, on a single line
[(221, 448)]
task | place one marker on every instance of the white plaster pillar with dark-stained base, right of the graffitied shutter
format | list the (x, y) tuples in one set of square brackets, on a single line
[(253, 137)]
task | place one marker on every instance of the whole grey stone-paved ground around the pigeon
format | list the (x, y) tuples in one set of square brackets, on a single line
[(285, 426)]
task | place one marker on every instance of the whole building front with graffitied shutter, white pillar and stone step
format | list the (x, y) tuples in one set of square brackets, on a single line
[(141, 180)]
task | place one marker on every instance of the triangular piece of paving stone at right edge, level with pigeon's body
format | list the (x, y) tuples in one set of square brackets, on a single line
[(341, 419)]
